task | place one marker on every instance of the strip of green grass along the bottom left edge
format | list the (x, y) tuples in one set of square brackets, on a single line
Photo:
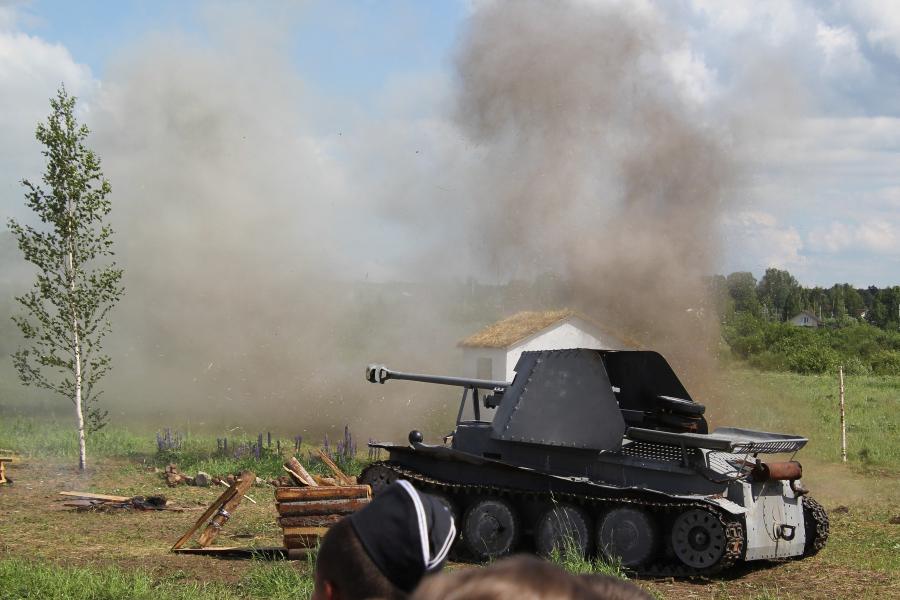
[(21, 579)]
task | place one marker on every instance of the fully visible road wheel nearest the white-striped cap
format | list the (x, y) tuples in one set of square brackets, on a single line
[(490, 529)]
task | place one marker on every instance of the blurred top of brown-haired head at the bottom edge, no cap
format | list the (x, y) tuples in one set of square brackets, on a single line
[(523, 578)]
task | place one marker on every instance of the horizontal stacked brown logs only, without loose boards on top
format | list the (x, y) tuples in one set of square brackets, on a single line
[(306, 513)]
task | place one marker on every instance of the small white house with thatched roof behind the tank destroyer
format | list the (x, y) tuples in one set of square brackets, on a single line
[(493, 352)]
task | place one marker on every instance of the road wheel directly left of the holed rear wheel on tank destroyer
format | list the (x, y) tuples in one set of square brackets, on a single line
[(627, 534)]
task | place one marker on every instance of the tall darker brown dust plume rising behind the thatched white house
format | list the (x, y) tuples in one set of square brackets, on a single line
[(597, 167)]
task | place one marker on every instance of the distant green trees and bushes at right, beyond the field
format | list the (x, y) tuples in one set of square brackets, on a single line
[(861, 326)]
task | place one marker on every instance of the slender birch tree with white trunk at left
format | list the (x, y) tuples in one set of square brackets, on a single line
[(77, 283)]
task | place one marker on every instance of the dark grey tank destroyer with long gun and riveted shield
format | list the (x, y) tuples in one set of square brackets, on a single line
[(604, 451)]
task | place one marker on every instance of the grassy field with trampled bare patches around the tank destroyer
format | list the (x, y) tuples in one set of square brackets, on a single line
[(47, 551)]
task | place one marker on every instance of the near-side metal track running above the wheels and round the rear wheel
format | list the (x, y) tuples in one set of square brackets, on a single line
[(734, 529)]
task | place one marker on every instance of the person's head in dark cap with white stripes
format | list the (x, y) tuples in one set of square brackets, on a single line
[(383, 550)]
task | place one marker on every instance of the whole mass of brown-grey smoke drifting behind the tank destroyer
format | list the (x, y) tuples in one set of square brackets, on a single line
[(247, 228)]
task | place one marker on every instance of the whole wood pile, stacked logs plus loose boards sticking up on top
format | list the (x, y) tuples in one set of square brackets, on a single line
[(305, 512)]
